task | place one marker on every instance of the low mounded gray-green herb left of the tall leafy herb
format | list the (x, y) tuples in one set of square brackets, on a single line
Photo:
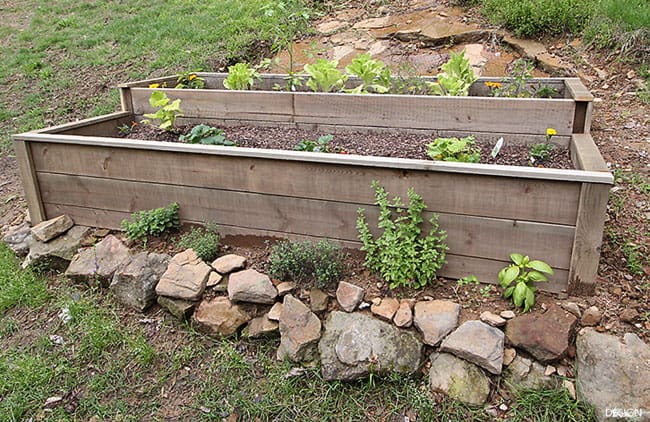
[(318, 264)]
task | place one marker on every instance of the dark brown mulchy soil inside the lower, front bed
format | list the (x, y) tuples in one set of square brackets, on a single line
[(396, 145)]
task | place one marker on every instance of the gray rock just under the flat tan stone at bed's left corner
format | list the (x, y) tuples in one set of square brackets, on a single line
[(56, 254)]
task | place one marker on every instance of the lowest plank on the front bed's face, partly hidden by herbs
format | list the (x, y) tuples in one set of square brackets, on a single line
[(456, 267)]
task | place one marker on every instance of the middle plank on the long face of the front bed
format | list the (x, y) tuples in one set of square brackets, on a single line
[(467, 235)]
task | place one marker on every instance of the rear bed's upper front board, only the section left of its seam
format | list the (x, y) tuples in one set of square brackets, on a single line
[(199, 103)]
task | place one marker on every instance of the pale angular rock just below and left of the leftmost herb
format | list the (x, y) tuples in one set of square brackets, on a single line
[(98, 263)]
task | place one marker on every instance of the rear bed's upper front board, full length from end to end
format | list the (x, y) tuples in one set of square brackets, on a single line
[(481, 114)]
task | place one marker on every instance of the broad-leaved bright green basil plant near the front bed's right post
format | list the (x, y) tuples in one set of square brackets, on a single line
[(523, 273)]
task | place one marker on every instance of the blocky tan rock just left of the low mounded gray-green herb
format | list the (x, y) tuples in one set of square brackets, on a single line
[(251, 286)]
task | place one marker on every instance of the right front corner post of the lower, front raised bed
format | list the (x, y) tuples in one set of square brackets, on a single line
[(588, 238)]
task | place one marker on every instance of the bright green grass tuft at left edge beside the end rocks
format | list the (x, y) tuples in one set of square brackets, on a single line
[(18, 287)]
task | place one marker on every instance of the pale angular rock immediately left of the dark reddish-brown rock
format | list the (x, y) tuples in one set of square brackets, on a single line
[(478, 343)]
